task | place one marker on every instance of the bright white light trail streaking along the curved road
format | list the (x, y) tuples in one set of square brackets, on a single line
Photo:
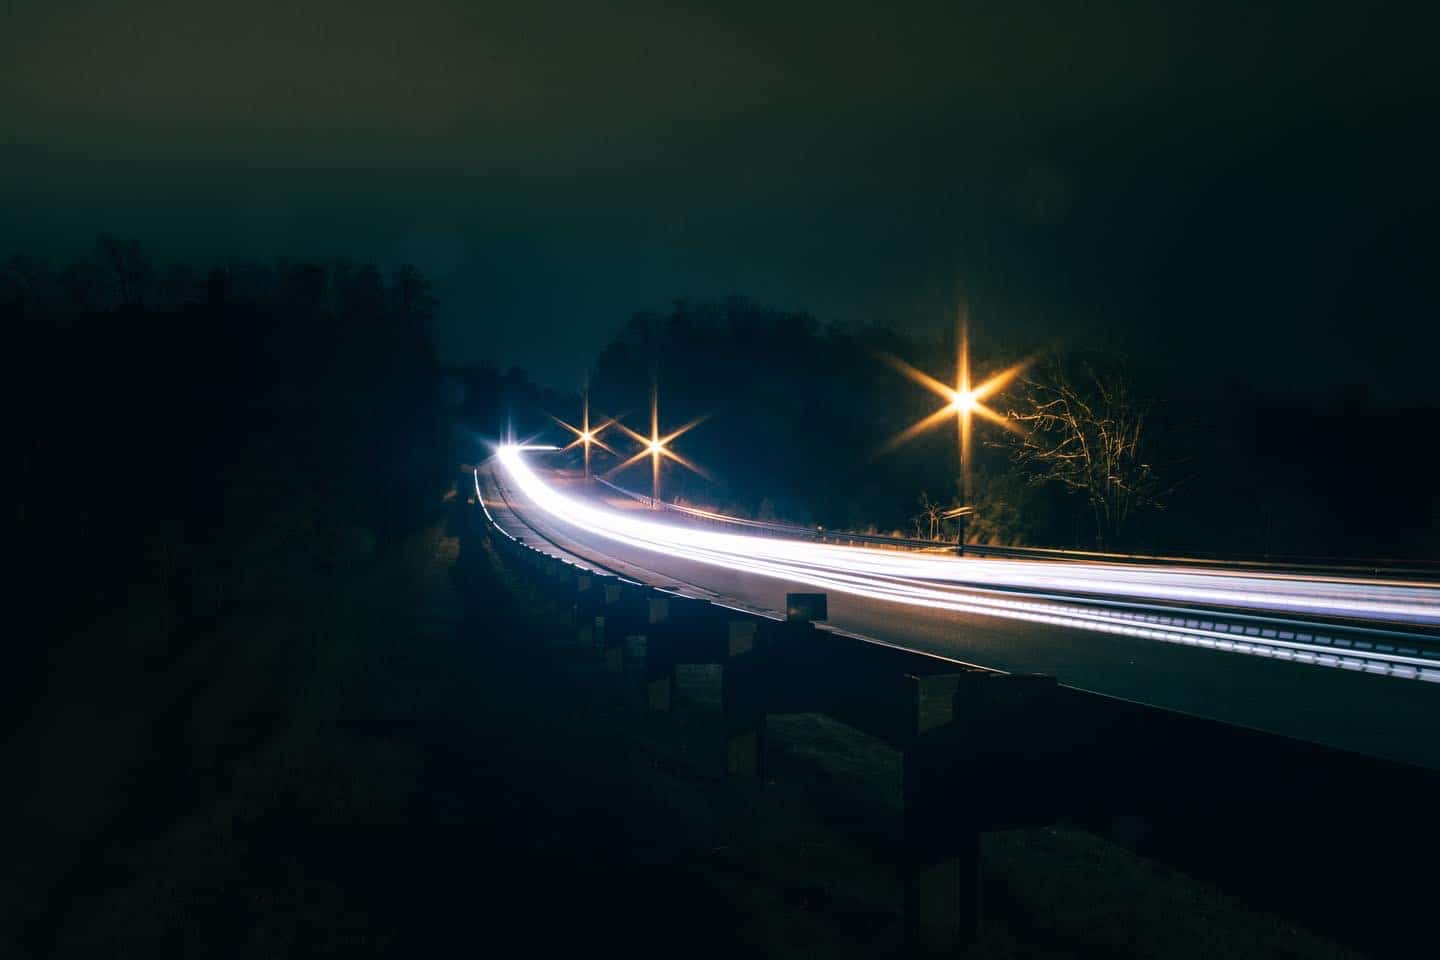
[(1058, 594)]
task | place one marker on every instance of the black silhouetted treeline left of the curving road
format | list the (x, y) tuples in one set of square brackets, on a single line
[(163, 418)]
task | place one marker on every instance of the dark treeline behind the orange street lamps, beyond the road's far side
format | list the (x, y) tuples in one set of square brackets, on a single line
[(801, 421)]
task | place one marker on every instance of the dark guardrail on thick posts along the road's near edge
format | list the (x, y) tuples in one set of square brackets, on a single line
[(1333, 838)]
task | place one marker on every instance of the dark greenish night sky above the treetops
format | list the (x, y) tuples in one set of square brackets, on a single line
[(1225, 188)]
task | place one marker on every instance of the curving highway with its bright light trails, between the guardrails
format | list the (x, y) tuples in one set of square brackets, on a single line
[(1349, 663)]
